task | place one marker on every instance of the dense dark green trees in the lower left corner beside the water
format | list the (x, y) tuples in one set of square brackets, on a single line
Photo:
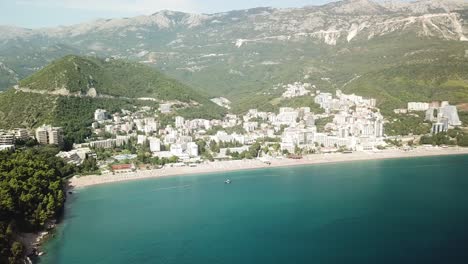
[(31, 194)]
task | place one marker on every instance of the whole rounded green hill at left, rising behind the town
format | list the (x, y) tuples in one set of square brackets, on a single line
[(68, 91)]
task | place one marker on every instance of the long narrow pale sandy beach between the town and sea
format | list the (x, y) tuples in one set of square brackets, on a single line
[(224, 166)]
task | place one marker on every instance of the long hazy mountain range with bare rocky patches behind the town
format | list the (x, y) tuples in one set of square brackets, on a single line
[(244, 54)]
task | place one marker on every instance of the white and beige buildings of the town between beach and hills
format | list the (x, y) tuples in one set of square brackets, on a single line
[(127, 141)]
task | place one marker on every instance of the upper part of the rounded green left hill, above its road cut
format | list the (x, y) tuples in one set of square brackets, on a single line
[(85, 76)]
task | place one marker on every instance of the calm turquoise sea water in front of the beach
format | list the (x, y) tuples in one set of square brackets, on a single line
[(394, 211)]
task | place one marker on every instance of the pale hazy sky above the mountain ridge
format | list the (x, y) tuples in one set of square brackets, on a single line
[(50, 13)]
